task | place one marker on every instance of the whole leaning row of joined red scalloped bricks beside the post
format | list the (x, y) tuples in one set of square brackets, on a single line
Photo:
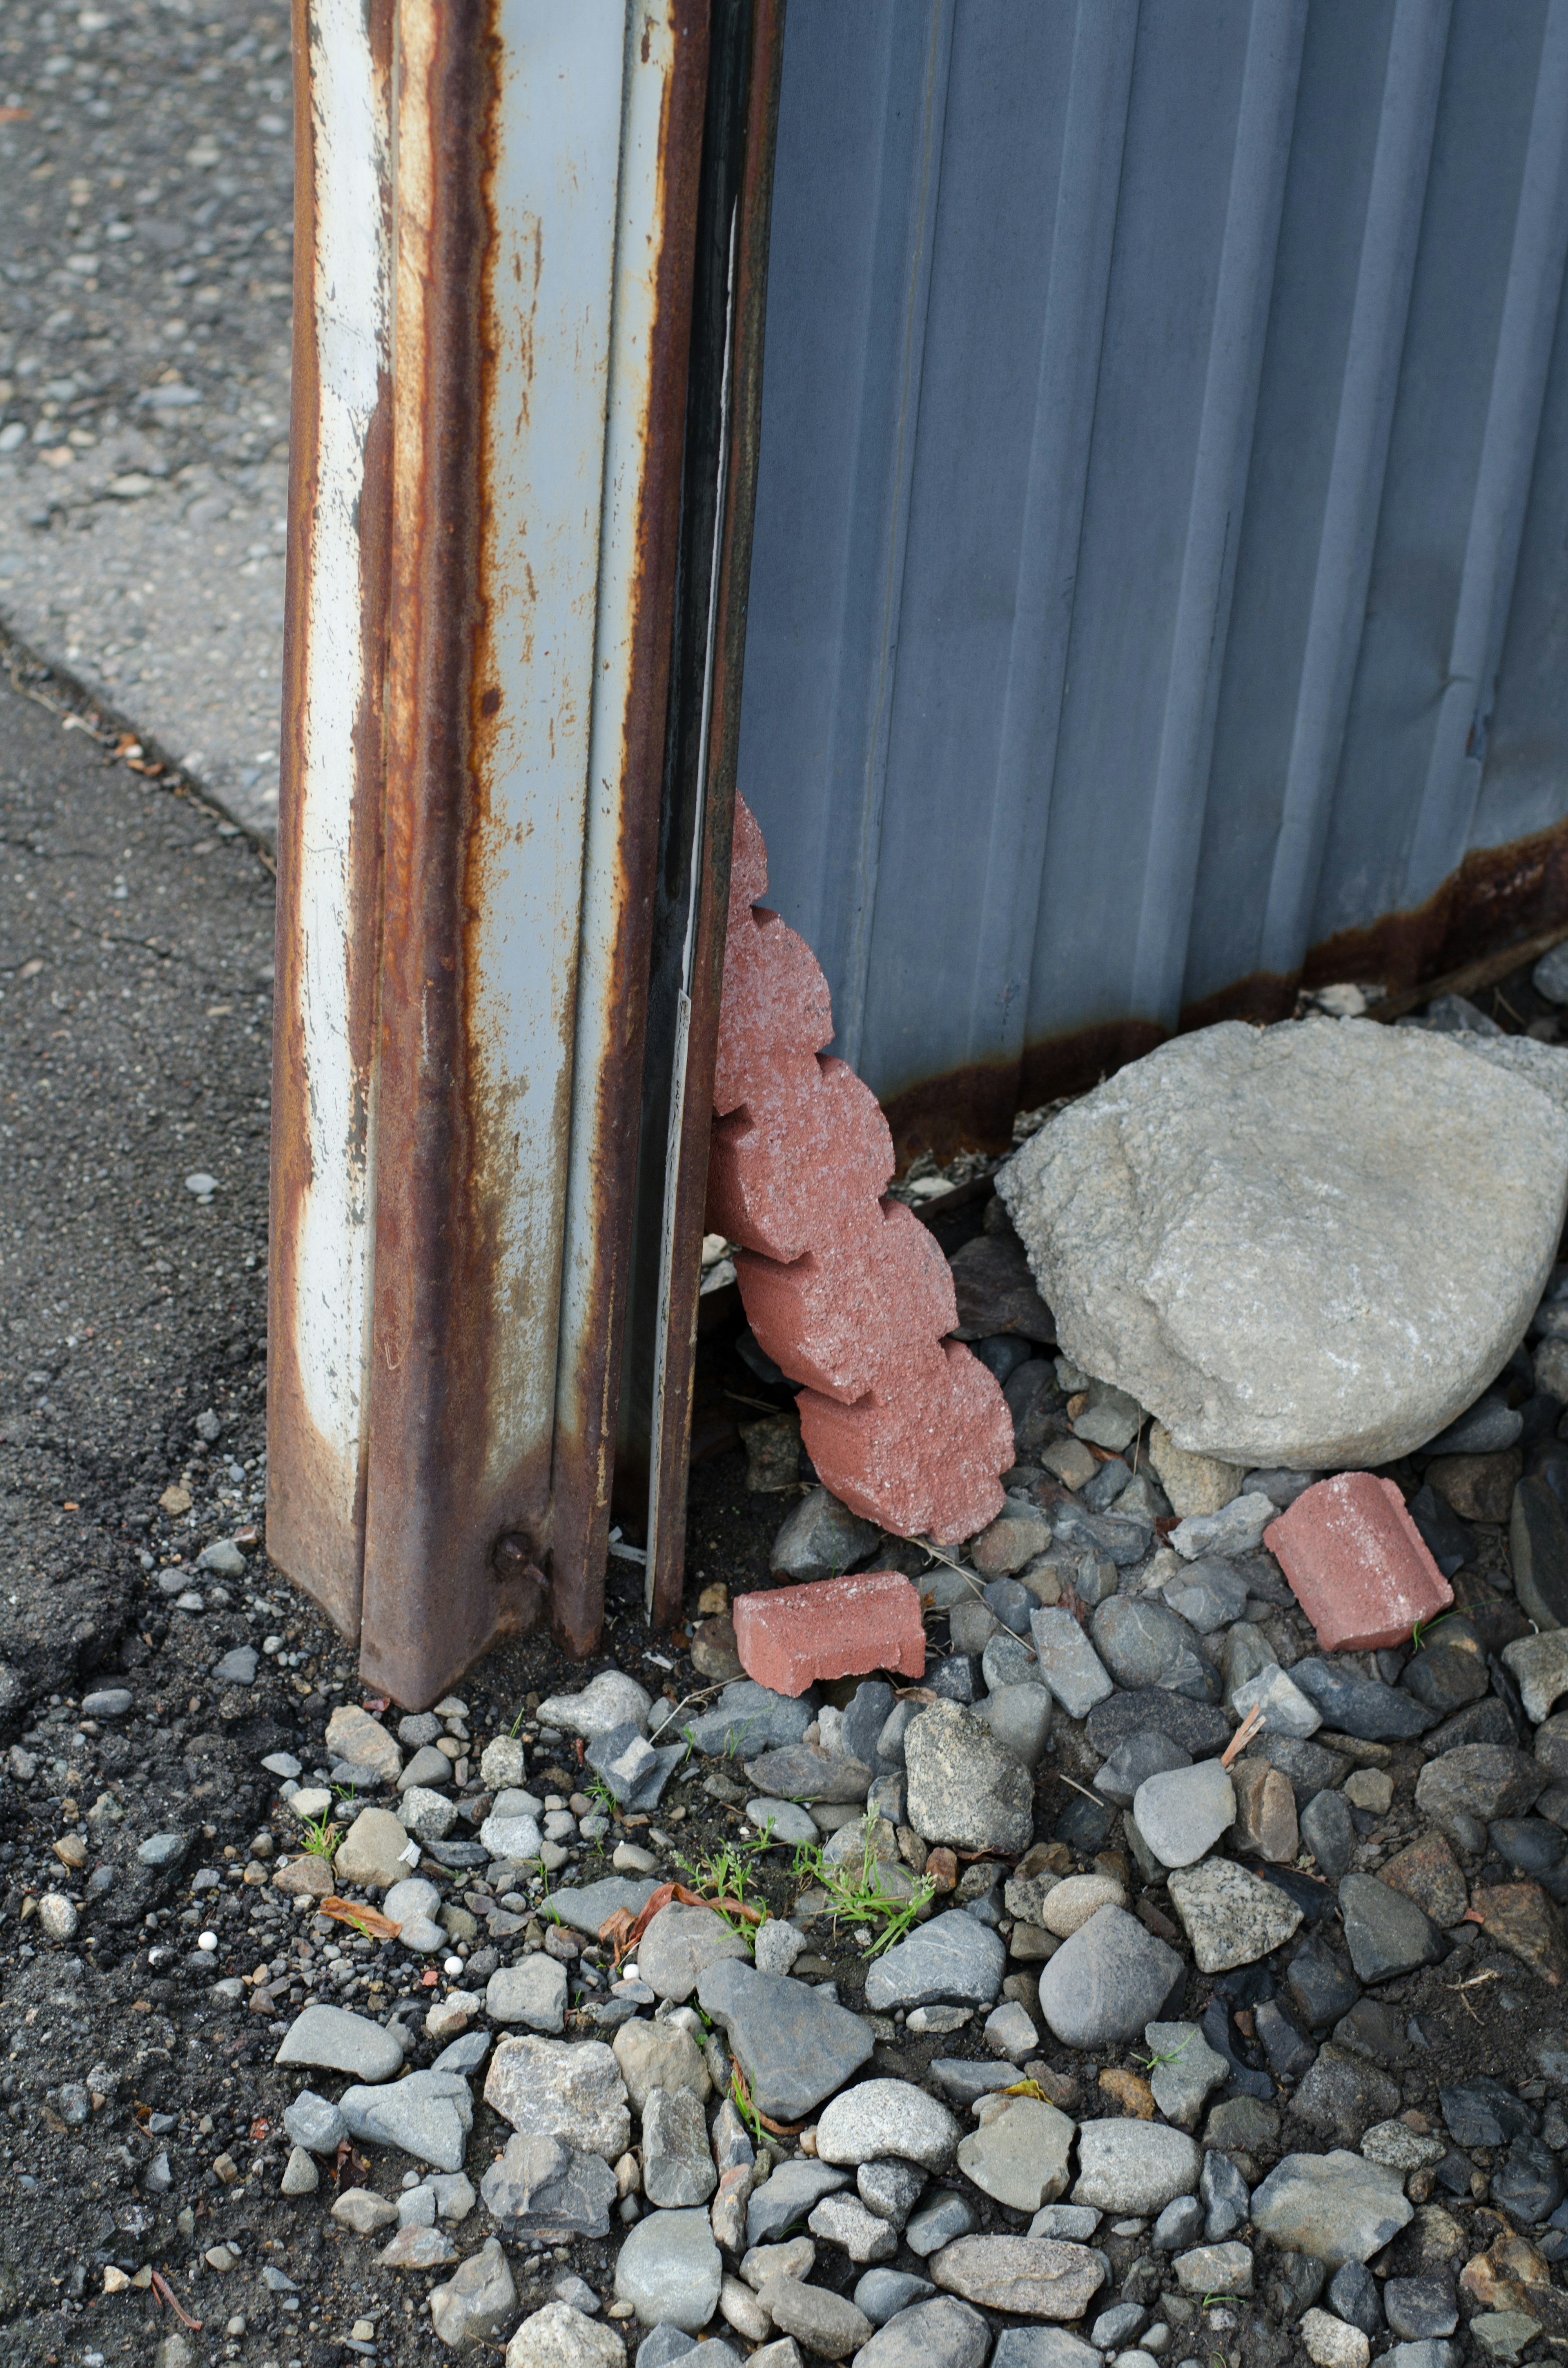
[(844, 1289)]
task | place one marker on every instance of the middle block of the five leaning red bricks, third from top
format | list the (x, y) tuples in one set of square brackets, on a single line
[(802, 1164)]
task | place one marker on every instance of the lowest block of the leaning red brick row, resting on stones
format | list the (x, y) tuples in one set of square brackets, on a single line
[(925, 1458)]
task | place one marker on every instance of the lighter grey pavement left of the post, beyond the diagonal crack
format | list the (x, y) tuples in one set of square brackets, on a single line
[(146, 262)]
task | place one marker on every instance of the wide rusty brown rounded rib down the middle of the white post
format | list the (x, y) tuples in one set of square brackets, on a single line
[(432, 1597)]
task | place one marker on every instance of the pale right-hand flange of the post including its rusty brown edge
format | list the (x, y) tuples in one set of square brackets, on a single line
[(667, 72)]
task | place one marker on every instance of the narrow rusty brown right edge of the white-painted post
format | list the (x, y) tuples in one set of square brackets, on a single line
[(586, 1413)]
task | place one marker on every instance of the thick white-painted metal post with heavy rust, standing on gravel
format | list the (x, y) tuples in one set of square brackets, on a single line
[(463, 984)]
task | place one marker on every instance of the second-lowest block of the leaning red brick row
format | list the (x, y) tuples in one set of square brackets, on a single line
[(840, 1320)]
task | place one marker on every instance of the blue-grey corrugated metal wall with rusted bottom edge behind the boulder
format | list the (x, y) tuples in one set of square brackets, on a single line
[(1162, 539)]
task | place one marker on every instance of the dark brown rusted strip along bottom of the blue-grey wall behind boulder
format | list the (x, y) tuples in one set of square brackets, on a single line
[(1498, 899)]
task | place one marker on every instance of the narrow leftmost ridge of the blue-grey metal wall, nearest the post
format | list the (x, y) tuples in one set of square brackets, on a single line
[(873, 731)]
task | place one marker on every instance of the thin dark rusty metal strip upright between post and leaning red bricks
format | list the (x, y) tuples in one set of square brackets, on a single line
[(716, 823)]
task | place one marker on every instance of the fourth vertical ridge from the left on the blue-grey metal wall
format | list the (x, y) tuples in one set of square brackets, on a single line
[(1401, 167)]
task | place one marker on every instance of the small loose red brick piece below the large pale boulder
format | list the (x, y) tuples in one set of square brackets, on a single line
[(1358, 1564)]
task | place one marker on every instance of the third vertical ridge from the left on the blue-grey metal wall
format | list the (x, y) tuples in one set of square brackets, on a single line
[(1219, 489)]
